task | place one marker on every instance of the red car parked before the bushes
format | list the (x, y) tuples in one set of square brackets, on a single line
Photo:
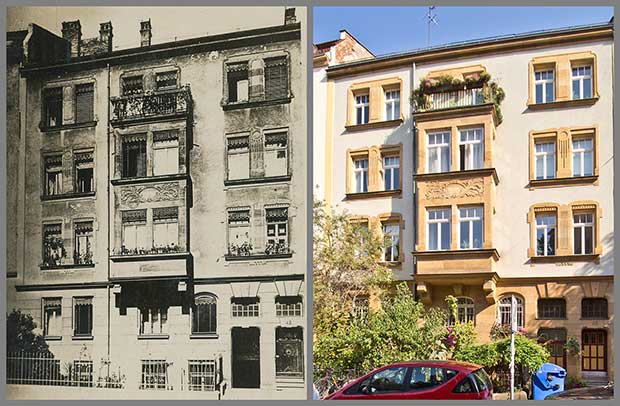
[(439, 380)]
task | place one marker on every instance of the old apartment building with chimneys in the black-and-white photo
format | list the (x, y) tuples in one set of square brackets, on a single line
[(163, 233)]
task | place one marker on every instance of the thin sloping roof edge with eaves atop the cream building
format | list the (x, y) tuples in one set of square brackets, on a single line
[(429, 52)]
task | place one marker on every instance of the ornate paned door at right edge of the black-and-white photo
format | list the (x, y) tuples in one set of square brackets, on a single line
[(289, 352)]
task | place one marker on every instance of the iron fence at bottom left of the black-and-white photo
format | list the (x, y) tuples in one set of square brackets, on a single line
[(24, 368)]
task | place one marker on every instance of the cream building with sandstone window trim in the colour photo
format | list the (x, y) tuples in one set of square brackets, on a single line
[(490, 204)]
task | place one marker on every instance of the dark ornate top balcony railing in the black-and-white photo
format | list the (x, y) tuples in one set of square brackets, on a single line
[(148, 105)]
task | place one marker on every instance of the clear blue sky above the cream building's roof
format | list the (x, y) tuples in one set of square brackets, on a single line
[(405, 28)]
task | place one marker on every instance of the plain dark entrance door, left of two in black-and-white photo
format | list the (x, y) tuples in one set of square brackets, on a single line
[(246, 357)]
